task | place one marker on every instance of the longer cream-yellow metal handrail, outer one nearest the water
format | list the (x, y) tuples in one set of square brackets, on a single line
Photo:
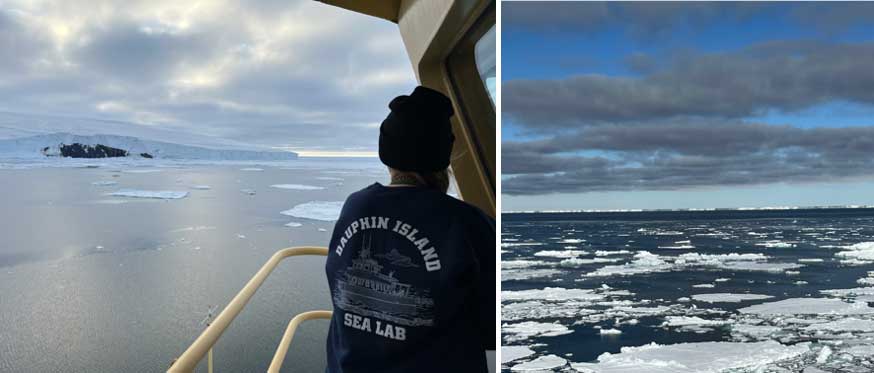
[(203, 344)]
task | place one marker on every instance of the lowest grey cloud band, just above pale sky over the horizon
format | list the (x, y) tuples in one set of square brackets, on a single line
[(681, 156)]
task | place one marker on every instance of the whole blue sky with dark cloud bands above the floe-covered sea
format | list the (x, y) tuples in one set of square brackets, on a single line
[(679, 105)]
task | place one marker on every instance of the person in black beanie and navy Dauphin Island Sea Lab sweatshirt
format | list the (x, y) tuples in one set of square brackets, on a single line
[(411, 269)]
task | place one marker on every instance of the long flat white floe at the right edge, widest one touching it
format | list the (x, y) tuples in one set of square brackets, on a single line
[(800, 306)]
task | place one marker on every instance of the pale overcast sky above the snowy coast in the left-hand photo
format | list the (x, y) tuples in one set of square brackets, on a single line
[(298, 74)]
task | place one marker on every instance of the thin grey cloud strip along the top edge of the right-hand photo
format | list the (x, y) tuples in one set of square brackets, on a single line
[(654, 20)]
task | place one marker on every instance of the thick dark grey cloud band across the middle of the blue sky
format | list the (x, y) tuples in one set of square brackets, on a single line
[(781, 75)]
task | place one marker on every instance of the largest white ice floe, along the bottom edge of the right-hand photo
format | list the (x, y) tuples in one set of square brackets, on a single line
[(692, 357)]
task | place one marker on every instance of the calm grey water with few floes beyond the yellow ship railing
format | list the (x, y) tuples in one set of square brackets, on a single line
[(96, 283)]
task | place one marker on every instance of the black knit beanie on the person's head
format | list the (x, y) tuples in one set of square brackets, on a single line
[(417, 136)]
